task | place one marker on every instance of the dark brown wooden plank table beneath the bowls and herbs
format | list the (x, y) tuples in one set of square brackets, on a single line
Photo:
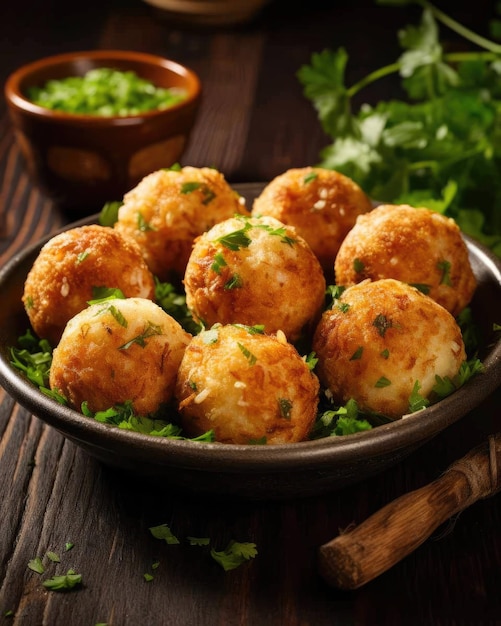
[(254, 124)]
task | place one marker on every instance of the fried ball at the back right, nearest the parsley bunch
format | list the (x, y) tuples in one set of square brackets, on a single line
[(321, 204)]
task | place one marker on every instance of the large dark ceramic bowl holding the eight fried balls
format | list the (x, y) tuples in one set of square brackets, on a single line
[(256, 472)]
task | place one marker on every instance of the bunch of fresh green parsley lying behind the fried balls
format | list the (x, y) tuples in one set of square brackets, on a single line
[(441, 146)]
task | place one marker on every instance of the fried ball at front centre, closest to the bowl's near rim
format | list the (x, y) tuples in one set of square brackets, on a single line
[(246, 386)]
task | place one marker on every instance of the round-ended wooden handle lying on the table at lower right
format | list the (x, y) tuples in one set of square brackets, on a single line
[(359, 555)]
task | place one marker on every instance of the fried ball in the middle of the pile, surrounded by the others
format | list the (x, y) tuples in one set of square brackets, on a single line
[(255, 271)]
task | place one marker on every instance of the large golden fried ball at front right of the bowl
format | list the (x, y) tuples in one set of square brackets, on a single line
[(381, 341)]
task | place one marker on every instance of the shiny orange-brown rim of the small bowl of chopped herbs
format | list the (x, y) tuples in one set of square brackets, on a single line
[(17, 100)]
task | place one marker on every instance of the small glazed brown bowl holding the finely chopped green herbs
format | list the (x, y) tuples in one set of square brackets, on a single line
[(83, 161)]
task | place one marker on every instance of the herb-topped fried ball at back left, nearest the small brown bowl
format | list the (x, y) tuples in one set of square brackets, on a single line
[(169, 208)]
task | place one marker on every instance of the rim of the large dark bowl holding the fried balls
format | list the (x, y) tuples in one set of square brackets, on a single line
[(388, 438)]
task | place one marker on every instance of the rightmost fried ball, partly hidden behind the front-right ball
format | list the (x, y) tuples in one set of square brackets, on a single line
[(417, 246)]
